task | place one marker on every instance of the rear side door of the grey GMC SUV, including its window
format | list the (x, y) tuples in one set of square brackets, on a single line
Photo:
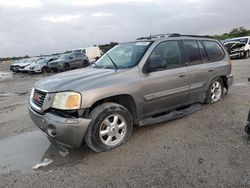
[(201, 69)]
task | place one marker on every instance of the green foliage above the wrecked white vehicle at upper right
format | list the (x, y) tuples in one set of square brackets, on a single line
[(235, 32)]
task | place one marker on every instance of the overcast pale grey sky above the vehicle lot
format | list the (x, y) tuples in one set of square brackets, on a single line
[(34, 27)]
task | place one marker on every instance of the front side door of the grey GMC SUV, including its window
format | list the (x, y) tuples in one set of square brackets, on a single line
[(166, 87)]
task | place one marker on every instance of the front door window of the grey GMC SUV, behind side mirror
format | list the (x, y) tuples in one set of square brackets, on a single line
[(166, 55)]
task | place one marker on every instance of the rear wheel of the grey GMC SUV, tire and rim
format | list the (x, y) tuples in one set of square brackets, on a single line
[(215, 91)]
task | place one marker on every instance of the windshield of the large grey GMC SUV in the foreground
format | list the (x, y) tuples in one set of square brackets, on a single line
[(123, 55)]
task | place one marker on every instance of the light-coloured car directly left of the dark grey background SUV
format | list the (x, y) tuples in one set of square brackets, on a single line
[(40, 66)]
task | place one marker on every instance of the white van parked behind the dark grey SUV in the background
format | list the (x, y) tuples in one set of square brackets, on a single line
[(93, 53)]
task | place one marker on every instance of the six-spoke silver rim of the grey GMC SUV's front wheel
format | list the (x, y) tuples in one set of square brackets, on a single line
[(113, 130)]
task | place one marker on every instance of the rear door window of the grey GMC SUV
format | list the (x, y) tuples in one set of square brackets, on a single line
[(192, 52)]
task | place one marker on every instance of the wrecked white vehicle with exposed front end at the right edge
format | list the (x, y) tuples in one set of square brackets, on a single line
[(238, 47)]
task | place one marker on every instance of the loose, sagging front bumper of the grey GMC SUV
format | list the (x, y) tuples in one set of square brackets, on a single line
[(66, 131)]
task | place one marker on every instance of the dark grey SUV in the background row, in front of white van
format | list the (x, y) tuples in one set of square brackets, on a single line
[(69, 61)]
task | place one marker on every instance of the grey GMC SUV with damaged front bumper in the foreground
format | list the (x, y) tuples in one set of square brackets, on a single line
[(150, 80)]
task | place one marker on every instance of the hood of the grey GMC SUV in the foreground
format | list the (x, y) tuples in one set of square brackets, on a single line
[(73, 80)]
